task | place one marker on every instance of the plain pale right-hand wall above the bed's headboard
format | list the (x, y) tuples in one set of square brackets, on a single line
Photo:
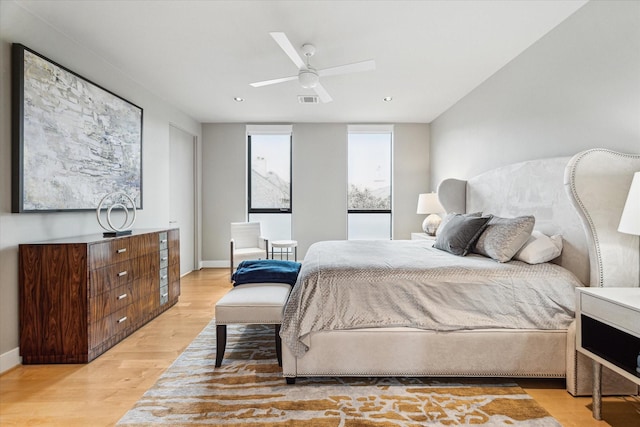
[(576, 88)]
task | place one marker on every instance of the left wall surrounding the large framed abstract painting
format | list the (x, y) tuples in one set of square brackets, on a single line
[(16, 25)]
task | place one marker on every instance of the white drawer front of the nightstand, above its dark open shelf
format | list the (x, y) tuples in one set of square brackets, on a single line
[(608, 312)]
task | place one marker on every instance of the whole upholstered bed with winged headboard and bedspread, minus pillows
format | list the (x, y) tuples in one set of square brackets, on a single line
[(327, 333)]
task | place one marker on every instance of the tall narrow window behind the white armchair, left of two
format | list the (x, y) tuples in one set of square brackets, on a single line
[(269, 179)]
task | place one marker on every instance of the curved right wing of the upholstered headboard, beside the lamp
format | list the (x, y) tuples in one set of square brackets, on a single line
[(598, 182)]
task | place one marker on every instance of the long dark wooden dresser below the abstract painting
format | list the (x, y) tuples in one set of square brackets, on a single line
[(80, 296)]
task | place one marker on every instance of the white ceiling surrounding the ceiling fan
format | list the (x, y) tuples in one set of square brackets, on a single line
[(199, 55)]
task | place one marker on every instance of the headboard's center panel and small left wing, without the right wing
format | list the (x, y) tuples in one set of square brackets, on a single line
[(534, 187)]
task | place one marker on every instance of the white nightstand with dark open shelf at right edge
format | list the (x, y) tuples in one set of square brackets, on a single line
[(608, 332)]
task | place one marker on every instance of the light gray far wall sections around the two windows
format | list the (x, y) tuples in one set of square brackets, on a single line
[(319, 183)]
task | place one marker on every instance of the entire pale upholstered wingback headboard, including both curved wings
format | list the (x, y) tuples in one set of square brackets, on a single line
[(579, 197)]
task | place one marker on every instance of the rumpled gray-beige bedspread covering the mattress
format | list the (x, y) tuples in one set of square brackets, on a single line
[(364, 284)]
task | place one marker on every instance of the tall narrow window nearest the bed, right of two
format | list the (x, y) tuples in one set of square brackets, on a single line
[(369, 182)]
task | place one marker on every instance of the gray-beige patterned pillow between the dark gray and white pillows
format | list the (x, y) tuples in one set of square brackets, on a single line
[(503, 237)]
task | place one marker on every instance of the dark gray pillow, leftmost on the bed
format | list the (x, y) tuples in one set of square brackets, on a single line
[(460, 233)]
